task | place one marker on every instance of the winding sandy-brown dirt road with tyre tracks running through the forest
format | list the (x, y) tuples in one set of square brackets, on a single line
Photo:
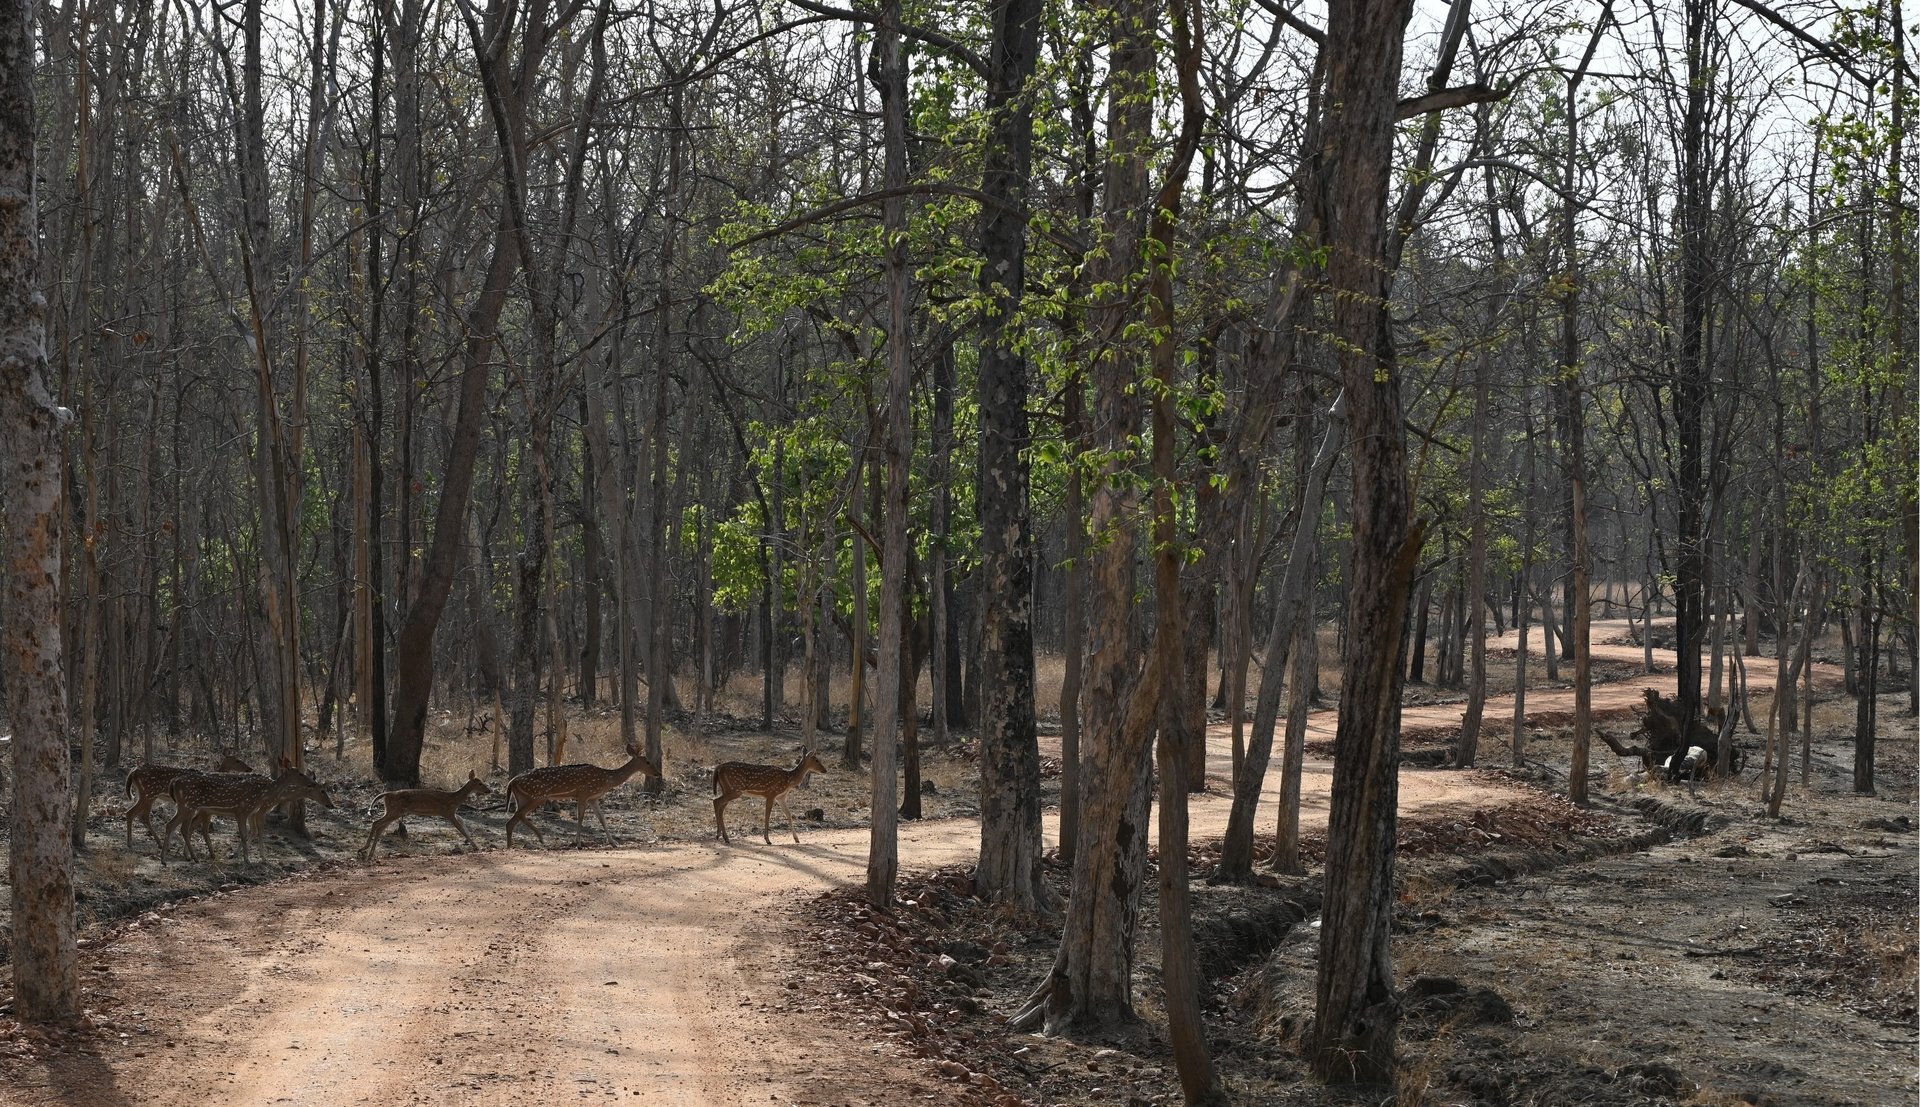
[(523, 977)]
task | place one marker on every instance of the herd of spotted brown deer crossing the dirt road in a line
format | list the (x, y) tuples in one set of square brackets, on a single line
[(237, 791)]
